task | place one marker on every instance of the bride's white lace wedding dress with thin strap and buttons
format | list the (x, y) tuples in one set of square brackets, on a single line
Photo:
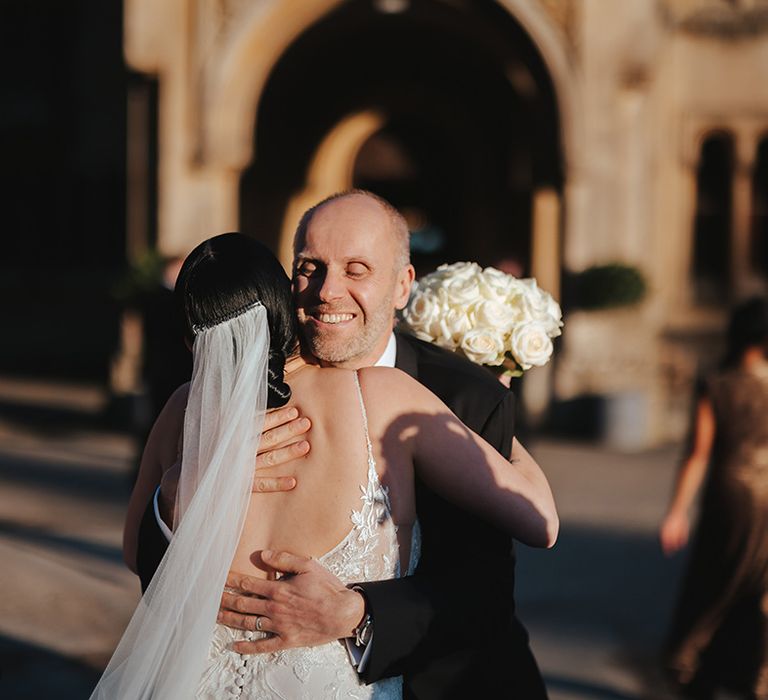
[(369, 552)]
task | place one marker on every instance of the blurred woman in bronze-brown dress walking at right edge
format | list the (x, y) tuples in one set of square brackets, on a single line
[(719, 635)]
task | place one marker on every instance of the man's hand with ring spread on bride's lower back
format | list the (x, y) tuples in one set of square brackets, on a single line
[(308, 606)]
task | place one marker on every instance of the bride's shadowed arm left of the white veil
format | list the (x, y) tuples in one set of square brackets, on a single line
[(159, 454)]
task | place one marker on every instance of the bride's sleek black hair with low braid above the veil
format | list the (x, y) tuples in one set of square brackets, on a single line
[(225, 275)]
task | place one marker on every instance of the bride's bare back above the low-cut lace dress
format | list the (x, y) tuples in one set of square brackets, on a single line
[(314, 517)]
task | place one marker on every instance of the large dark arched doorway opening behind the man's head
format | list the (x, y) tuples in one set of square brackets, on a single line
[(469, 129)]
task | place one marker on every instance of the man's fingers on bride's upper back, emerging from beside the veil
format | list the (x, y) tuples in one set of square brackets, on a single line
[(279, 445)]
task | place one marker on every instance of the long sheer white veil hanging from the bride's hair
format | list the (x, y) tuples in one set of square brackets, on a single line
[(164, 650)]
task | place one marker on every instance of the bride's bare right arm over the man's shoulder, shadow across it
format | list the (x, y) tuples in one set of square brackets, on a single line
[(463, 468)]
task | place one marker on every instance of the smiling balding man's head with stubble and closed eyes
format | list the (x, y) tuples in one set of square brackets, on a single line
[(346, 282)]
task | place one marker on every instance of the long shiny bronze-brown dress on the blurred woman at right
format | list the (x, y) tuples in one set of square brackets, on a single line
[(719, 635)]
